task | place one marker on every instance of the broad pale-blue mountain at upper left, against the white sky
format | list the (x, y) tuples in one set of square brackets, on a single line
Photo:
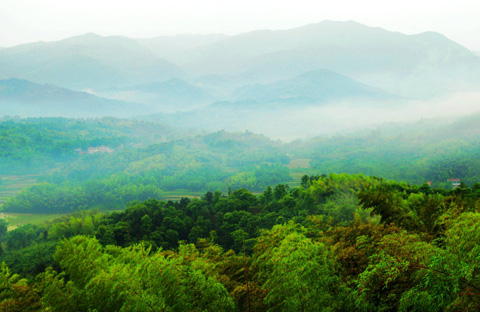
[(89, 61)]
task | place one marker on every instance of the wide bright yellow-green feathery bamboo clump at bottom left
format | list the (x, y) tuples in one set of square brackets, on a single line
[(134, 279)]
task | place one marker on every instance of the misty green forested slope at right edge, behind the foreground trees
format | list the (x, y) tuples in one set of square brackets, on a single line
[(431, 150)]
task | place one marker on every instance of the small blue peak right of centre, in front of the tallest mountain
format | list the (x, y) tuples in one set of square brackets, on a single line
[(312, 87)]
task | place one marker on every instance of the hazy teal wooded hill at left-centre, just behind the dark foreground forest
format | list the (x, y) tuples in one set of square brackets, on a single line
[(216, 161)]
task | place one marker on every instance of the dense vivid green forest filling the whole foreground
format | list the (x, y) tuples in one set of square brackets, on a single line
[(335, 243)]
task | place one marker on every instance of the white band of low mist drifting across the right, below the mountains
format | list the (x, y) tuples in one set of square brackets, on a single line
[(349, 116)]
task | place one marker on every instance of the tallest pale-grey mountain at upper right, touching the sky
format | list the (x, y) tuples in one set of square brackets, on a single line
[(419, 65)]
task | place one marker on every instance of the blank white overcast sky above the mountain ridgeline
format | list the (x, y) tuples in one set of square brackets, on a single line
[(24, 21)]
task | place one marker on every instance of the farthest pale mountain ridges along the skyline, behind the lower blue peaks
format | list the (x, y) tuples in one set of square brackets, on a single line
[(422, 66)]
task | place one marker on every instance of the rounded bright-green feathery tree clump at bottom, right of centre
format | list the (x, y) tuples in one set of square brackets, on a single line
[(298, 273)]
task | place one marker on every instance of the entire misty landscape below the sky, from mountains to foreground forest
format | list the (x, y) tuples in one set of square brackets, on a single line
[(329, 167)]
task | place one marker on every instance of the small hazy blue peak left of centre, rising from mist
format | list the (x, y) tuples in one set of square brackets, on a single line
[(170, 95)]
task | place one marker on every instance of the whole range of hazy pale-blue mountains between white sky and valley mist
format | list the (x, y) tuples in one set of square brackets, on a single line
[(317, 63)]
